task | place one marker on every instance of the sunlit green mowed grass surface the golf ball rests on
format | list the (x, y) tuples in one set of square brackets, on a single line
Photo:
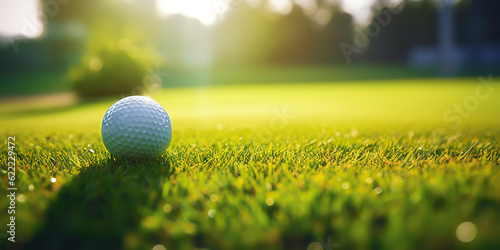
[(271, 166)]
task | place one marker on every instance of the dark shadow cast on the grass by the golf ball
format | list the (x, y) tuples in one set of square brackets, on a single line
[(101, 205)]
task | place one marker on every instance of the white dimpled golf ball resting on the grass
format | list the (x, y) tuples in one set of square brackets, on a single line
[(136, 128)]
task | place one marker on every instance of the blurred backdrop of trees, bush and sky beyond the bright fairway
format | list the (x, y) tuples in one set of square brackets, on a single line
[(100, 48)]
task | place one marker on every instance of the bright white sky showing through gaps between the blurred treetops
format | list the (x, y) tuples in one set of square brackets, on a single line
[(20, 17)]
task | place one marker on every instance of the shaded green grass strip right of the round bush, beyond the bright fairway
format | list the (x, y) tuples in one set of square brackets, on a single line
[(224, 75)]
